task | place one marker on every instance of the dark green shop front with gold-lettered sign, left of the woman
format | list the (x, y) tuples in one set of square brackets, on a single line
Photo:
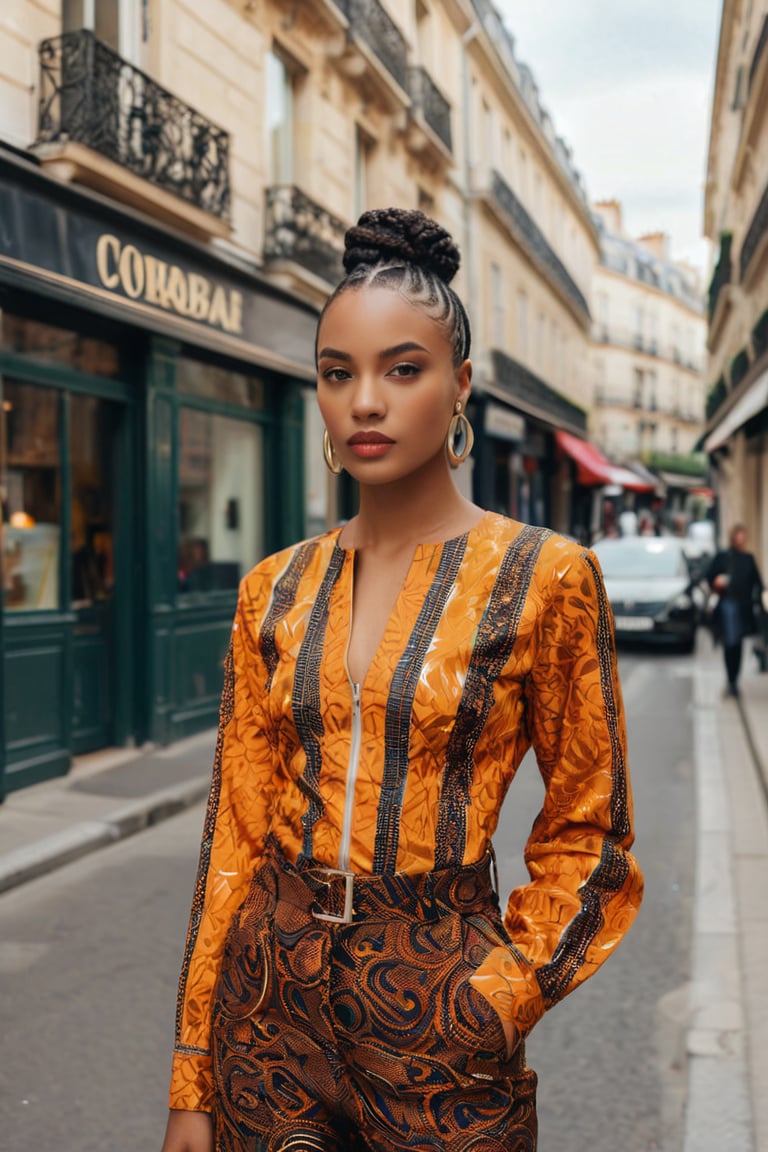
[(151, 451)]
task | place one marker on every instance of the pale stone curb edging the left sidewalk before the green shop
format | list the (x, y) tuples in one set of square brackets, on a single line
[(28, 863)]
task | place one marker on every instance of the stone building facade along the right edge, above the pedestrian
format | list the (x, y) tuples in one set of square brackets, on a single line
[(736, 222)]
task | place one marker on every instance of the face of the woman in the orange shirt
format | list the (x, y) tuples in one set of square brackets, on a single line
[(387, 385)]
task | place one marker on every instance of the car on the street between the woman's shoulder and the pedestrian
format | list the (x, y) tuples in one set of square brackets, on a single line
[(652, 592)]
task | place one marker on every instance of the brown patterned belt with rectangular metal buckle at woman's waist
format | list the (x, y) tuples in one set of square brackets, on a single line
[(339, 897)]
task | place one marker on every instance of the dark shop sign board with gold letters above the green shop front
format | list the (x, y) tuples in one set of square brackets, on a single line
[(54, 237)]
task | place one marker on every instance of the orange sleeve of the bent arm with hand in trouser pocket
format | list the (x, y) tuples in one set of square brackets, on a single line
[(585, 886)]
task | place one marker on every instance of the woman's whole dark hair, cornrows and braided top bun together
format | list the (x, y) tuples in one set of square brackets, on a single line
[(406, 252)]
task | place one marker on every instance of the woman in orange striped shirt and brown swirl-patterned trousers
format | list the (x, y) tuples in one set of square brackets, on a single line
[(349, 981)]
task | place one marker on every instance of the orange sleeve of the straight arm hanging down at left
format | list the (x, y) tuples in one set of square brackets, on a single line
[(233, 839)]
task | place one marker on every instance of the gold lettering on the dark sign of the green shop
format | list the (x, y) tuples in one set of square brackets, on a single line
[(168, 286)]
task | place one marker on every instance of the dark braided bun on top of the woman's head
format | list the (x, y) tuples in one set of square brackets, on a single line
[(396, 236)]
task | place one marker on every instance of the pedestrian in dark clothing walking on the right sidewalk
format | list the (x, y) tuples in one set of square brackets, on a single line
[(735, 578)]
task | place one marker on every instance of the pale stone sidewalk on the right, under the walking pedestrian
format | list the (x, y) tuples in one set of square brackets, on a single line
[(727, 1036)]
